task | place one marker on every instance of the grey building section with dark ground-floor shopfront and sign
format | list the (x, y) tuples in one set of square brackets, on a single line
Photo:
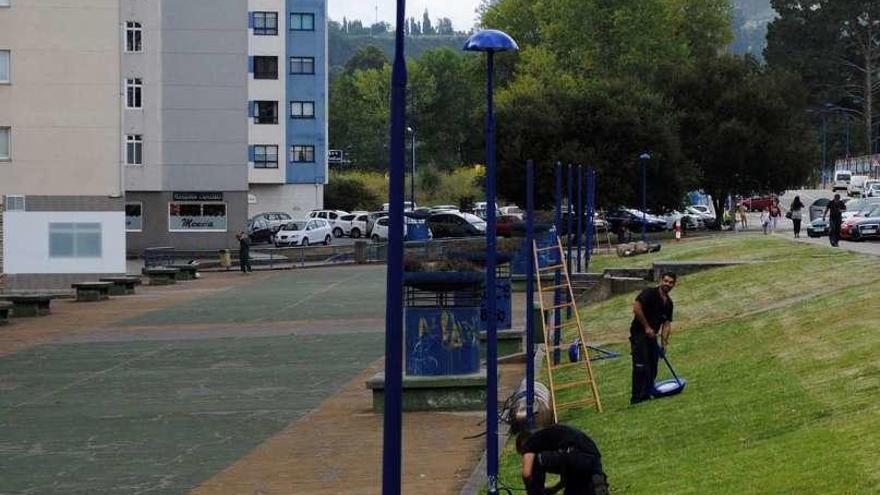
[(184, 114)]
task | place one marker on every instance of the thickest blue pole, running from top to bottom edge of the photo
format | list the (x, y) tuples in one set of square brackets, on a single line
[(393, 415)]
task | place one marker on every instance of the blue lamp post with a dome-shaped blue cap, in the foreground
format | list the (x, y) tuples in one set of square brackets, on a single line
[(491, 41)]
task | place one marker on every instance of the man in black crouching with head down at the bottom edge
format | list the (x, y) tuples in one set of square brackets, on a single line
[(565, 451)]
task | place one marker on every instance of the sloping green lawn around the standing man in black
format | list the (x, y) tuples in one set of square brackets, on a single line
[(783, 369)]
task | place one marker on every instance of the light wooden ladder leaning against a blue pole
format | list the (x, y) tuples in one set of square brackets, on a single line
[(584, 378)]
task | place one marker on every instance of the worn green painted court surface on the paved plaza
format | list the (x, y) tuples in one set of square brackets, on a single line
[(160, 415)]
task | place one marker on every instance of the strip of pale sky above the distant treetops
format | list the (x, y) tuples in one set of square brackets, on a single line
[(462, 12)]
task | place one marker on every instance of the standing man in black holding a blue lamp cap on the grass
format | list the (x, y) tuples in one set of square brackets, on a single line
[(652, 316)]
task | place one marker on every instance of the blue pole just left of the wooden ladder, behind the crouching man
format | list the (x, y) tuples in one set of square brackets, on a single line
[(530, 293)]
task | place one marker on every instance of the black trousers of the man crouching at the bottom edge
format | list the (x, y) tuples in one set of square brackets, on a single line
[(580, 471)]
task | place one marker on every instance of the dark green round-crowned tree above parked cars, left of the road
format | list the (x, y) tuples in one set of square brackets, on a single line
[(743, 126)]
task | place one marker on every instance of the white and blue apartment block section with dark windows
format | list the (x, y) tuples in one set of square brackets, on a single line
[(287, 105)]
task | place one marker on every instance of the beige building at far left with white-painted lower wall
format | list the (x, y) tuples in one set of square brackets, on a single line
[(61, 192)]
